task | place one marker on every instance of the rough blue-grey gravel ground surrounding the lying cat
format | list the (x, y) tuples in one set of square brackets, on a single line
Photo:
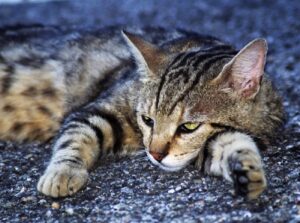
[(130, 189)]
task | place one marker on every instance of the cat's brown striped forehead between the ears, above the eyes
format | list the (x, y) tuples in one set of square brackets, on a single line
[(187, 76)]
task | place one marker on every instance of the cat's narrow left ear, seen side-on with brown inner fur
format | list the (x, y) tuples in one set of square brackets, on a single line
[(147, 56)]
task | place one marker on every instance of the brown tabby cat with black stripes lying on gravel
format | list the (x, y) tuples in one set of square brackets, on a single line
[(184, 97)]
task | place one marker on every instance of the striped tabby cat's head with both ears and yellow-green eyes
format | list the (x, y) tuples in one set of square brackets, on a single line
[(191, 93)]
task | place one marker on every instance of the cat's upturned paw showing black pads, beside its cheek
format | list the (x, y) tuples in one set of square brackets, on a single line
[(247, 173)]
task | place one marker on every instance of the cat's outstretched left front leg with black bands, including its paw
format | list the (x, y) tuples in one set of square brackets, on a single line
[(75, 151)]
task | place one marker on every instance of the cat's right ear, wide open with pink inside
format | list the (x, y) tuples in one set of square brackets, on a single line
[(243, 74)]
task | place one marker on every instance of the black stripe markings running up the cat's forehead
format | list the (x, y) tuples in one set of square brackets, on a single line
[(184, 67)]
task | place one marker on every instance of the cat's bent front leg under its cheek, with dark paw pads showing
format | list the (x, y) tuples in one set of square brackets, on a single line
[(235, 156)]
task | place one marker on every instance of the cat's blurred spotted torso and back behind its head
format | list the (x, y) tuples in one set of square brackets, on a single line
[(47, 71)]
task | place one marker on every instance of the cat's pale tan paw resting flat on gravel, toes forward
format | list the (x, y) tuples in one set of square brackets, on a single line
[(62, 180)]
